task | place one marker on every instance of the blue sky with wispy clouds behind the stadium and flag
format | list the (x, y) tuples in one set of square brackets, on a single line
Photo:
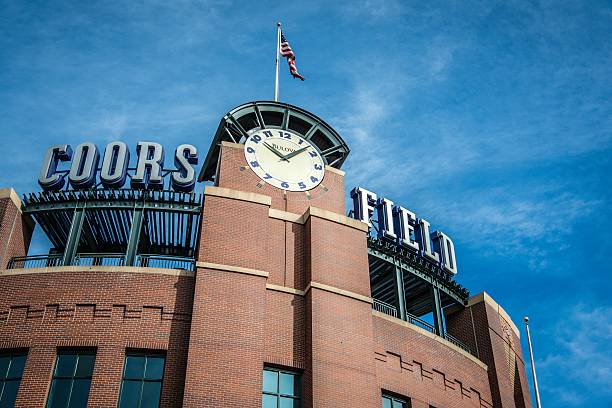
[(493, 120)]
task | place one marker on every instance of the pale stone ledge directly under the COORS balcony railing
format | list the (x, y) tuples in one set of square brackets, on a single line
[(98, 269)]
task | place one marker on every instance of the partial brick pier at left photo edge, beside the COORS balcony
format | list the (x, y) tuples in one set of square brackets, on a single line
[(15, 228)]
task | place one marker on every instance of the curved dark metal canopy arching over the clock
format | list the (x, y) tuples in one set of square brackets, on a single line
[(239, 123)]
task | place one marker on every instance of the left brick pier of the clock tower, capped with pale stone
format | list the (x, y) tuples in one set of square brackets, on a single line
[(226, 346)]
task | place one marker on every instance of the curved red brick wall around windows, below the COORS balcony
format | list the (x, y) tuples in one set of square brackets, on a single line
[(89, 307)]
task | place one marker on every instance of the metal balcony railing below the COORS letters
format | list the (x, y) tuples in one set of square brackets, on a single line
[(102, 259)]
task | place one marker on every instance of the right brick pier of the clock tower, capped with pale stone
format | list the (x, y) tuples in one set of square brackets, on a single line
[(339, 314)]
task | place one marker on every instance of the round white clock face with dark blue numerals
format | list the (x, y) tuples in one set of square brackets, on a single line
[(285, 160)]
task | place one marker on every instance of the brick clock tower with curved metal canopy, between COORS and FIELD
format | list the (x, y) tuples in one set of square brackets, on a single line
[(282, 274)]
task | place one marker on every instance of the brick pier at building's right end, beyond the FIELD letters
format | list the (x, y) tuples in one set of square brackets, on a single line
[(488, 330)]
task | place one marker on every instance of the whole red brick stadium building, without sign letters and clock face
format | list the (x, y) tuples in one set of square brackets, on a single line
[(273, 297)]
